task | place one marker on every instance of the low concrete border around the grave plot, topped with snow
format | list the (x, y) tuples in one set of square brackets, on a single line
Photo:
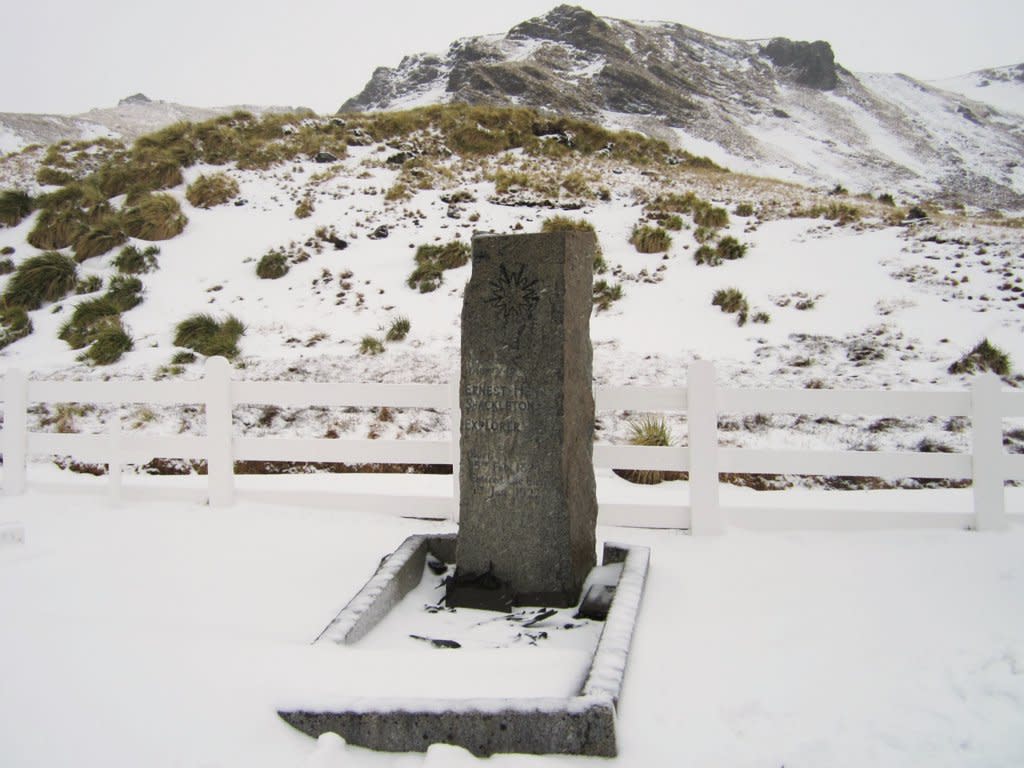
[(584, 724)]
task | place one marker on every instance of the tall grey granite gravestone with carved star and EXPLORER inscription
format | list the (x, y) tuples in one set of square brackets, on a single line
[(528, 506)]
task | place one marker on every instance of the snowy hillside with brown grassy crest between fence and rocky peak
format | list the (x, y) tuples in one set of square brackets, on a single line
[(837, 291)]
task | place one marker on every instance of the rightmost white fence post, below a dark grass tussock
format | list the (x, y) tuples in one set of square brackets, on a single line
[(987, 454)]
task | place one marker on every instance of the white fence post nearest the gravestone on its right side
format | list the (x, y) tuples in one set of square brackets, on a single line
[(702, 418)]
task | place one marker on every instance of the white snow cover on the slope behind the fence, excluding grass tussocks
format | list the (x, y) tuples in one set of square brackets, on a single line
[(863, 306)]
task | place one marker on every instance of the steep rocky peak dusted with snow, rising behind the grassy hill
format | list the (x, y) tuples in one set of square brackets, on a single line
[(778, 108)]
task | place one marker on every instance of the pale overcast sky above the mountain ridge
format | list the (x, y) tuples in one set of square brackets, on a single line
[(70, 56)]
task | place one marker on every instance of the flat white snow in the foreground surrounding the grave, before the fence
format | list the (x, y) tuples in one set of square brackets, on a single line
[(167, 634)]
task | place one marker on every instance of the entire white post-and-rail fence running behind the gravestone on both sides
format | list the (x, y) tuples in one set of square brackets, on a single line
[(988, 465)]
